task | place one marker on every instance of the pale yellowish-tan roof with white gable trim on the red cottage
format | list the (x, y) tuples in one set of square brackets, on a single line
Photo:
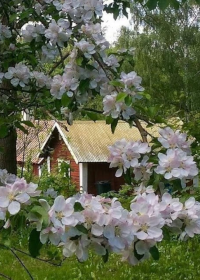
[(88, 141)]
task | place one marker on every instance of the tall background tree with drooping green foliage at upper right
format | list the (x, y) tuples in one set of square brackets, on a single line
[(166, 55)]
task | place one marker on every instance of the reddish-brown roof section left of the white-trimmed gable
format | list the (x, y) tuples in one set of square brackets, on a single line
[(29, 145)]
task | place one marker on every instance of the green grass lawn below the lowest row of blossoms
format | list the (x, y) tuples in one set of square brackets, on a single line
[(178, 261)]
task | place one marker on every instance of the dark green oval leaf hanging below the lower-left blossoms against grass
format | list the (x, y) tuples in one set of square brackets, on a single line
[(34, 245)]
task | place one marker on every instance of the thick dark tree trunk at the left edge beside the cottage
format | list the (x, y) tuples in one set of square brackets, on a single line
[(8, 152)]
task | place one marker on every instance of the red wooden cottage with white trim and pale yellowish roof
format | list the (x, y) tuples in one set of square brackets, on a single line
[(84, 146)]
